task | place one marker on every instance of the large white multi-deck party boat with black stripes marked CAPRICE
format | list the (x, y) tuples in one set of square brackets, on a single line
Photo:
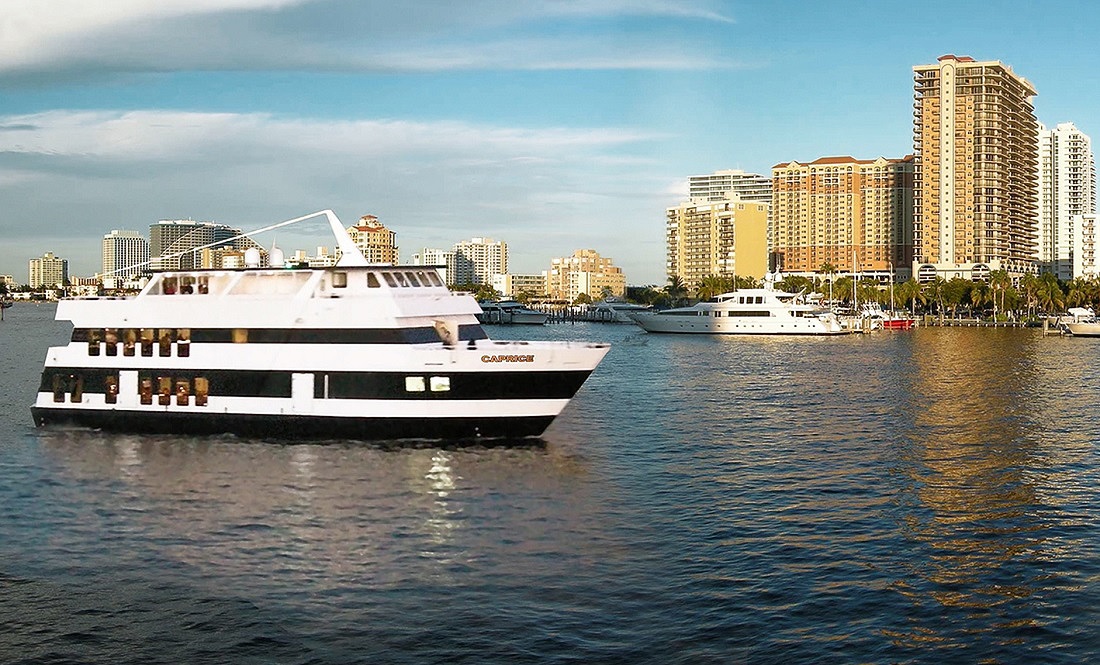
[(355, 351)]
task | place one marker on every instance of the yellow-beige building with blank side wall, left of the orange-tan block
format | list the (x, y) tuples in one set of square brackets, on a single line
[(727, 238)]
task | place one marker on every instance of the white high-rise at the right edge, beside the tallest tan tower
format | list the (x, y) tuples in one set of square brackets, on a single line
[(1068, 196)]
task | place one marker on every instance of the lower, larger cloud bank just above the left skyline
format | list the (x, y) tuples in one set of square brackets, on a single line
[(74, 176)]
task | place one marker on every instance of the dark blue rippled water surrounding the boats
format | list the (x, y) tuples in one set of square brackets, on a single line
[(920, 497)]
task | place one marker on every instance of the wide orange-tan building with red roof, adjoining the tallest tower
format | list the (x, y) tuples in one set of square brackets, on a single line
[(853, 215)]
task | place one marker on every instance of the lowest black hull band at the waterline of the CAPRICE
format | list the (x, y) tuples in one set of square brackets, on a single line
[(296, 427)]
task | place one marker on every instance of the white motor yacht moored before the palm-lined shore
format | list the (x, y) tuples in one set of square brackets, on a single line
[(765, 312)]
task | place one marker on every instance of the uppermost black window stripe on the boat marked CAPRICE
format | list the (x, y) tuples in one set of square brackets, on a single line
[(312, 336)]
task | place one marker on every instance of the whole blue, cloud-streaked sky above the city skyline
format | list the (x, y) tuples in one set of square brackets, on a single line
[(552, 126)]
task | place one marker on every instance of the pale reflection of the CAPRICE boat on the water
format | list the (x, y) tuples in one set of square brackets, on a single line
[(328, 516)]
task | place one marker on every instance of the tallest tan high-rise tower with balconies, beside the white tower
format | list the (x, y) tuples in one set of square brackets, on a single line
[(976, 138)]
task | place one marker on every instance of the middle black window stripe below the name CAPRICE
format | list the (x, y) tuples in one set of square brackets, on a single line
[(340, 385)]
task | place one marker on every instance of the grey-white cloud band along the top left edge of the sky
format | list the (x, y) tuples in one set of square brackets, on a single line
[(41, 42)]
